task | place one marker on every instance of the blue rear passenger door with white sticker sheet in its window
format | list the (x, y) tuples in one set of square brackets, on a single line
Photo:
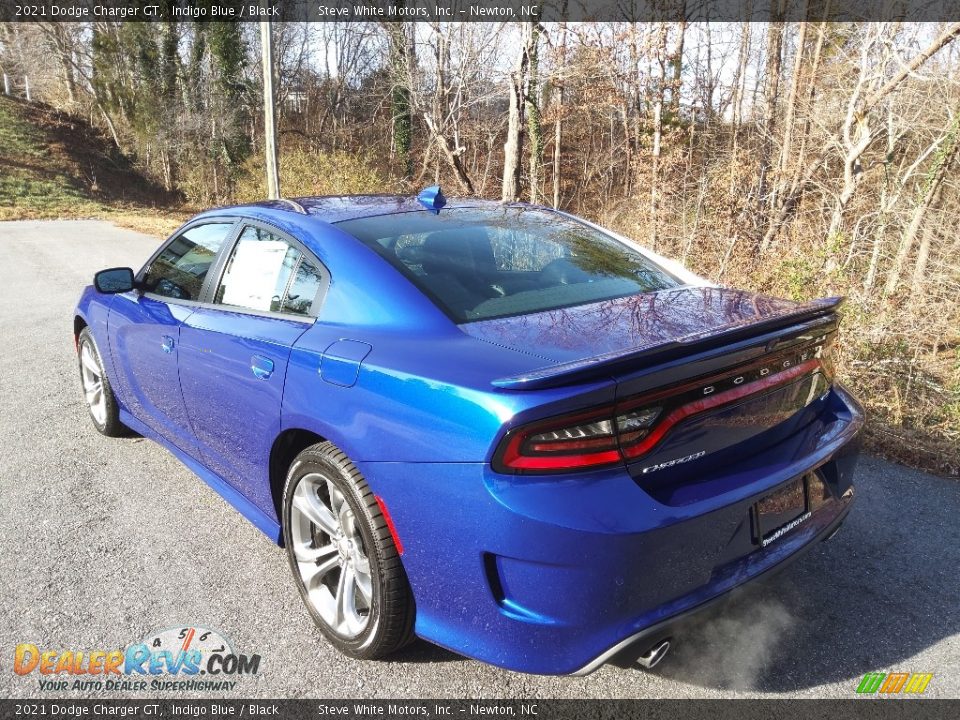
[(234, 352)]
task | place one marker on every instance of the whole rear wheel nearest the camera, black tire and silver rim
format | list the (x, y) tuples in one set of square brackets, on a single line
[(343, 557)]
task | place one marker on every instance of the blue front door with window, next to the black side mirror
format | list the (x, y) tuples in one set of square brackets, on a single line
[(145, 328)]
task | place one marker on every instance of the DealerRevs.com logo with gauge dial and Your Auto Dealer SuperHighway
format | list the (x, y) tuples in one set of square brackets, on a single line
[(182, 658)]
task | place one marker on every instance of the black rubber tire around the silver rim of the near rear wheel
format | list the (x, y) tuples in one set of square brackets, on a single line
[(390, 612)]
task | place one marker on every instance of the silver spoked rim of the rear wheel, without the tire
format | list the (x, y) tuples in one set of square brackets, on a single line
[(330, 555)]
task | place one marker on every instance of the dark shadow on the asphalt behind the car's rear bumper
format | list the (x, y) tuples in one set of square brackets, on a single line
[(883, 590)]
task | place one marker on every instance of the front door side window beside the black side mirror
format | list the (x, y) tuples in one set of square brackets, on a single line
[(179, 270)]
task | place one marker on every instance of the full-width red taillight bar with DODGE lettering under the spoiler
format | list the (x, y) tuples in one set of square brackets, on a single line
[(633, 427)]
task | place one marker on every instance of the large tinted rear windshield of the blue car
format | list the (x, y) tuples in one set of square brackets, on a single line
[(479, 264)]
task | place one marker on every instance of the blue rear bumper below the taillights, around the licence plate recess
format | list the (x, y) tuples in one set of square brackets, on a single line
[(557, 575)]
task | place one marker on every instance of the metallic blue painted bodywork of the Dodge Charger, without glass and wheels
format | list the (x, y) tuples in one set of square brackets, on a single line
[(535, 573)]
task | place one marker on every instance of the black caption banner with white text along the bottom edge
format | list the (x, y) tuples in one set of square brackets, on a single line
[(875, 709)]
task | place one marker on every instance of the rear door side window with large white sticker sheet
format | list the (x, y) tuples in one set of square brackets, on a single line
[(267, 273)]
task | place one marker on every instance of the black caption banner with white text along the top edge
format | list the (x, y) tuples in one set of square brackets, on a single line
[(478, 11)]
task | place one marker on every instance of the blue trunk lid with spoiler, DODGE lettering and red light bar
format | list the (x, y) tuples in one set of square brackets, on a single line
[(698, 371)]
